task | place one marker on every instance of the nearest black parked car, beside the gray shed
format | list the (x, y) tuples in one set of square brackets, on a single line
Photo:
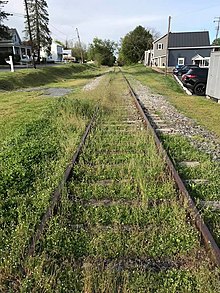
[(195, 80)]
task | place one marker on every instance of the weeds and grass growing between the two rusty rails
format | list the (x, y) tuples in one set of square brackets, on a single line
[(130, 245)]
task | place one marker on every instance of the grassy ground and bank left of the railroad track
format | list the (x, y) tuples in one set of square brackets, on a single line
[(38, 137)]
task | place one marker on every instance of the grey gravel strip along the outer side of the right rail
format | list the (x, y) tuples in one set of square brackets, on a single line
[(159, 108)]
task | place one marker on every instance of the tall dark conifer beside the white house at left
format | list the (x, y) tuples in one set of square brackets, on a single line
[(37, 21)]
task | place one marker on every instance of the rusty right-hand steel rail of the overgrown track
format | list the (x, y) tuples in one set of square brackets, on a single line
[(208, 239)]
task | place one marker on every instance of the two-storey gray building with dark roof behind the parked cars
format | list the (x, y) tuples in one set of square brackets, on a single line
[(182, 48)]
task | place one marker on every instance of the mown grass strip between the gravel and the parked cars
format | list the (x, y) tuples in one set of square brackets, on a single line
[(204, 111)]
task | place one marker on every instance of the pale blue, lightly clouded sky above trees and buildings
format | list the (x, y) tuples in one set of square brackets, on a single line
[(113, 19)]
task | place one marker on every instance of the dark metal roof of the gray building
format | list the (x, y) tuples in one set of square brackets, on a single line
[(189, 39)]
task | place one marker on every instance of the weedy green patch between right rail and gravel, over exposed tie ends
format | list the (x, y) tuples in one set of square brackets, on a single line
[(180, 150)]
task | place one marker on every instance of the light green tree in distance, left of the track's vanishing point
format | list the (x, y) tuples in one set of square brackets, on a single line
[(102, 52)]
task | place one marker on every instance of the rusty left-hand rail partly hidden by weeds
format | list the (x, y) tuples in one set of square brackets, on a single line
[(56, 196)]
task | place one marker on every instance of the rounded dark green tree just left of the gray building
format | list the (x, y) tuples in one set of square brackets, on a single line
[(134, 44)]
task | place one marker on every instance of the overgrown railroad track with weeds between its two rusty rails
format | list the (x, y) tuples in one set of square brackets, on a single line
[(121, 221)]
